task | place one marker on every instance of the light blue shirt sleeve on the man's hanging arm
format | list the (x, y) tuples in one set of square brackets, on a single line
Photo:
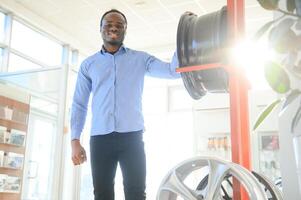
[(80, 101)]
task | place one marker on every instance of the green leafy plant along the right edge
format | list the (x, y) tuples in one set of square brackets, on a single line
[(285, 38)]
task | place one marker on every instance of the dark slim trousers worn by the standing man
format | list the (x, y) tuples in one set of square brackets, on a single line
[(127, 149)]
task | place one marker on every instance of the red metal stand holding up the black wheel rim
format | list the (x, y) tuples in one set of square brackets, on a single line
[(238, 90)]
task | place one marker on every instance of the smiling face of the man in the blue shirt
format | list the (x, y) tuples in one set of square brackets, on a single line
[(113, 29)]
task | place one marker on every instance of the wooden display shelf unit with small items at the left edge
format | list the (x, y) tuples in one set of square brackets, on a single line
[(13, 128)]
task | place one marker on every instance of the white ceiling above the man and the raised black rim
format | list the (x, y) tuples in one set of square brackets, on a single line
[(152, 24)]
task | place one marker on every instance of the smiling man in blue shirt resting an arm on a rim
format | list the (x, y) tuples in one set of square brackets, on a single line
[(115, 77)]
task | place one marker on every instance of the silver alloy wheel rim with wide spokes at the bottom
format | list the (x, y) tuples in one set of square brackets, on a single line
[(173, 185)]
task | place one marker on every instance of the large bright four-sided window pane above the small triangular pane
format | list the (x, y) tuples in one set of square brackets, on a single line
[(36, 45)]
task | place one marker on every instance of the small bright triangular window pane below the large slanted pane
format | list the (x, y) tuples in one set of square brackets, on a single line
[(17, 63)]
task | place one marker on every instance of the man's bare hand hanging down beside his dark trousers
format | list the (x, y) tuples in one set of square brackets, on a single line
[(78, 152)]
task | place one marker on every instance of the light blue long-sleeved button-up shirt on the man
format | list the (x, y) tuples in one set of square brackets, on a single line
[(116, 83)]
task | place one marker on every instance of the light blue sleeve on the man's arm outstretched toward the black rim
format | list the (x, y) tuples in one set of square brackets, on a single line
[(158, 68)]
